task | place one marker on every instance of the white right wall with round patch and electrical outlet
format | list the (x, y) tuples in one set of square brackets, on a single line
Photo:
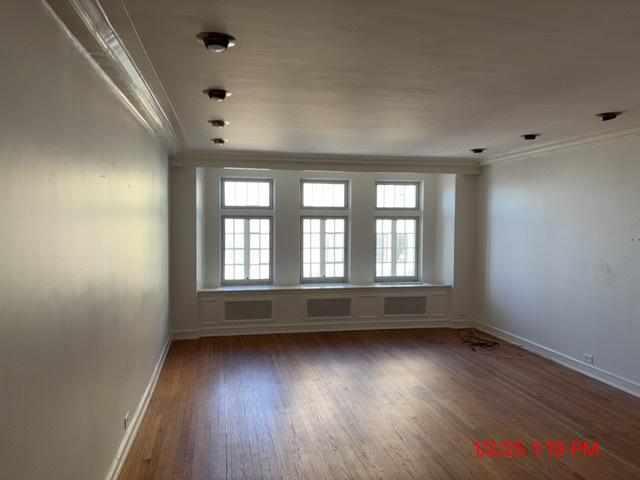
[(560, 252)]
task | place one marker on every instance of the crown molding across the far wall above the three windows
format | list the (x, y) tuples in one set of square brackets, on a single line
[(323, 162)]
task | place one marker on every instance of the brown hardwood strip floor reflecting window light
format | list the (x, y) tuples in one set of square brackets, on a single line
[(404, 404)]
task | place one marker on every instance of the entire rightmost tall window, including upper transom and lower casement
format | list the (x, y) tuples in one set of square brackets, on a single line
[(397, 243)]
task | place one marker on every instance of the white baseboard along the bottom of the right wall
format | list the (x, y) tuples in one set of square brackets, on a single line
[(603, 376)]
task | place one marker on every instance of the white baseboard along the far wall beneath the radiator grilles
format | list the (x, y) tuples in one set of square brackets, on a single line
[(308, 327)]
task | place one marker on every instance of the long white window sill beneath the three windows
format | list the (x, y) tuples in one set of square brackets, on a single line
[(318, 286)]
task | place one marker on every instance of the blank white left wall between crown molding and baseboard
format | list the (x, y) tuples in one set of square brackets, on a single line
[(83, 256)]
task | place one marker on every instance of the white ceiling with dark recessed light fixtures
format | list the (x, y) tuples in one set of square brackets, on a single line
[(402, 78)]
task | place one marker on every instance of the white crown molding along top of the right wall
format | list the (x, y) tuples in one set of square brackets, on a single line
[(590, 138)]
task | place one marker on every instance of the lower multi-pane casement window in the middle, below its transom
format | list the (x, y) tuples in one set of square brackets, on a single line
[(323, 249)]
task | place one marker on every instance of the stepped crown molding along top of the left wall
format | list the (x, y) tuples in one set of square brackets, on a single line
[(89, 28)]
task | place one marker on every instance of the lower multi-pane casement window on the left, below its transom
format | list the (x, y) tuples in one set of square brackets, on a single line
[(246, 246)]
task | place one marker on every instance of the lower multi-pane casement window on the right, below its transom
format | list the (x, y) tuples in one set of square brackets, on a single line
[(396, 248)]
